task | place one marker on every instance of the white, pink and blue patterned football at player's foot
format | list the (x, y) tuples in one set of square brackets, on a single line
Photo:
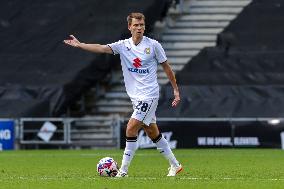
[(107, 167)]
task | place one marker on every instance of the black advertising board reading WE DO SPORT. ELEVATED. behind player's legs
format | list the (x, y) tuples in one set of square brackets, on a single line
[(215, 134)]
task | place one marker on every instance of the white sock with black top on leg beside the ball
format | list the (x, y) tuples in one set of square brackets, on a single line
[(129, 151)]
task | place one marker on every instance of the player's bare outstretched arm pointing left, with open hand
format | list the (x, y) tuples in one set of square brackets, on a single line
[(96, 48)]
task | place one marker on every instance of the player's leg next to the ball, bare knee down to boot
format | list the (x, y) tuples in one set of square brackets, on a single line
[(132, 129)]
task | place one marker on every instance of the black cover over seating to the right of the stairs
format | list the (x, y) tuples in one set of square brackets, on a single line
[(240, 77)]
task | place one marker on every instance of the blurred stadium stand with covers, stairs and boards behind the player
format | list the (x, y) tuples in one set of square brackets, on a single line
[(227, 55)]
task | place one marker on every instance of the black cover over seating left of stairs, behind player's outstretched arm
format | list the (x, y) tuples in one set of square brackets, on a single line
[(39, 75)]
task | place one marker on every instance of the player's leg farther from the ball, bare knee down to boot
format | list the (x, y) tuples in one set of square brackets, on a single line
[(164, 148)]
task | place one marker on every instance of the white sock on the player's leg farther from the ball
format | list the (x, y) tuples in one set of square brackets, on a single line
[(164, 148)]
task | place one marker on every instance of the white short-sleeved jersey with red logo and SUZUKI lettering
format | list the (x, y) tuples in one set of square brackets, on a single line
[(139, 66)]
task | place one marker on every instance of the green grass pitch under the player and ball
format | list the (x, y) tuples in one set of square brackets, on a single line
[(204, 168)]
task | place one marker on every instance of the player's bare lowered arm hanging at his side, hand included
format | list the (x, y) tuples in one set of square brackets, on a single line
[(170, 74)]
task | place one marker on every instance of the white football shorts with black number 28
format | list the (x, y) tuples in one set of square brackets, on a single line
[(145, 110)]
